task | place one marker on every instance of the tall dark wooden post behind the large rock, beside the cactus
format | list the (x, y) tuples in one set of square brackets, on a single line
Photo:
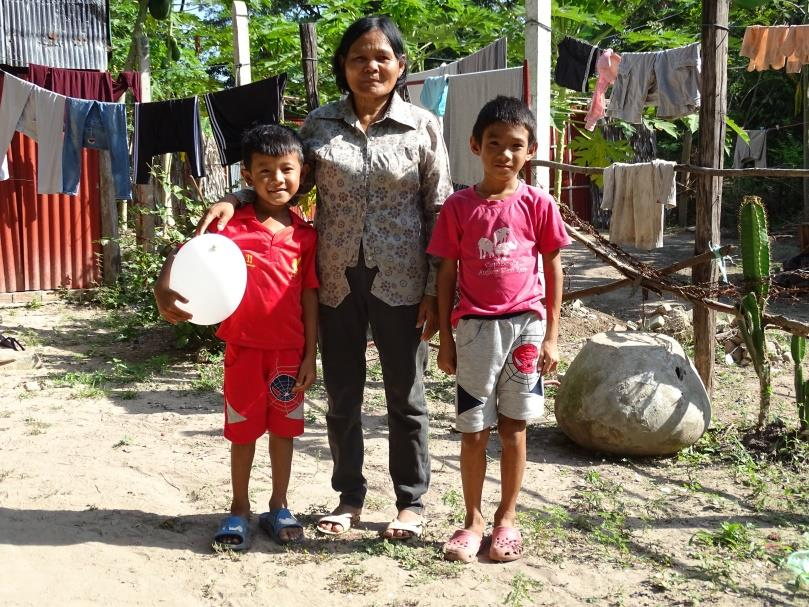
[(709, 188)]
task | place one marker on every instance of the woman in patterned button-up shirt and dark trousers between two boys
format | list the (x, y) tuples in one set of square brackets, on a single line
[(380, 167)]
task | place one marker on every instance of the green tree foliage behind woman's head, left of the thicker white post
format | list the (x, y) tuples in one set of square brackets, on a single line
[(434, 30)]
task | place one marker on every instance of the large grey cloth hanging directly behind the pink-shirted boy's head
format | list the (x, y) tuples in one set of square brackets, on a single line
[(466, 95)]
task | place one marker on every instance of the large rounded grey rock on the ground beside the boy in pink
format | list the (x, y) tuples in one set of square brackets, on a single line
[(632, 393)]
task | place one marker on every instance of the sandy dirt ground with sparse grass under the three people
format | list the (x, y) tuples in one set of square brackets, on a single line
[(114, 474)]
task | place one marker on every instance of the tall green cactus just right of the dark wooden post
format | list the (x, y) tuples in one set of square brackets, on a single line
[(755, 246)]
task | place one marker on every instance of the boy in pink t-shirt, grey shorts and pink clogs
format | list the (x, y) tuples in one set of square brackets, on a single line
[(490, 237)]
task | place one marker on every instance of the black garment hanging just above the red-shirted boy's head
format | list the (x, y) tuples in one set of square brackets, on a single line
[(233, 111)]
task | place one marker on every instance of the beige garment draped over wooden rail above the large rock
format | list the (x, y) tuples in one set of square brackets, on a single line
[(638, 195)]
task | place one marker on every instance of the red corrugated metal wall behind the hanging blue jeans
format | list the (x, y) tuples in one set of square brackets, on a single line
[(51, 241)]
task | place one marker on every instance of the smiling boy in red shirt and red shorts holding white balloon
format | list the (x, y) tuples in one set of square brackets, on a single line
[(271, 337)]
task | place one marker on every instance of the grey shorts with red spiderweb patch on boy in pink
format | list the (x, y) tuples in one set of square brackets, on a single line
[(497, 370)]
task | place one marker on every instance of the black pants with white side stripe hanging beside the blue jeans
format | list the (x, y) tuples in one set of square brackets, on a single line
[(167, 126)]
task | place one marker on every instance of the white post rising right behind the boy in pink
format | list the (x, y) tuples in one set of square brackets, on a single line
[(538, 54)]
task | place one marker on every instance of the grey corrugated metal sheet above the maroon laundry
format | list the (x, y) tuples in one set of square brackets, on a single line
[(59, 33)]
